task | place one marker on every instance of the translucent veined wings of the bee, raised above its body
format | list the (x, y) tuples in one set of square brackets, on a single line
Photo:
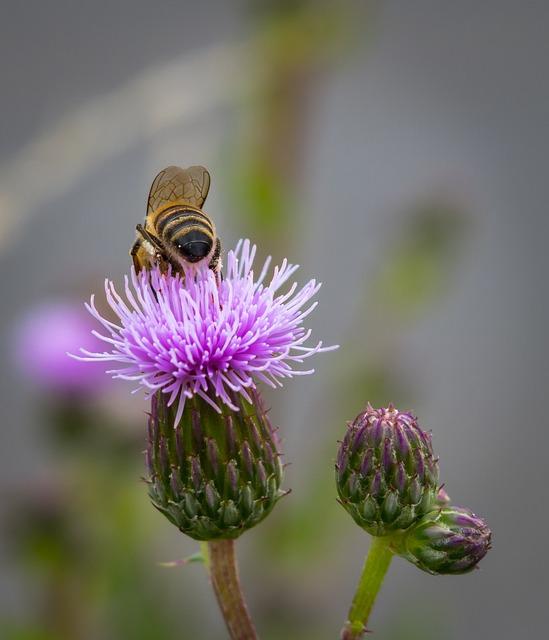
[(173, 186)]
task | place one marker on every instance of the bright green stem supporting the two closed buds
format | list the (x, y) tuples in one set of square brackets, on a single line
[(375, 567)]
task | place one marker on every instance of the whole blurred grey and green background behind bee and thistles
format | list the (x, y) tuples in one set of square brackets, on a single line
[(397, 151)]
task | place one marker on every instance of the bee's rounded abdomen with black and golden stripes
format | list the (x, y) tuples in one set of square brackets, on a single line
[(188, 232)]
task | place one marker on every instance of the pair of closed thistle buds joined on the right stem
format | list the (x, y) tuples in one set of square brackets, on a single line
[(388, 480)]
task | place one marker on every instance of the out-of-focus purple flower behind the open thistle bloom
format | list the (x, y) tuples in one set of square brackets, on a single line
[(41, 343)]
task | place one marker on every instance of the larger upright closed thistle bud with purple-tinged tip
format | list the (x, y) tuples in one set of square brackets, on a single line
[(386, 473)]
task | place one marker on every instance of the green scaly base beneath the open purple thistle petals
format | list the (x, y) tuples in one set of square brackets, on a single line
[(215, 474)]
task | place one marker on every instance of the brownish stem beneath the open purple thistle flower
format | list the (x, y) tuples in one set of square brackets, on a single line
[(226, 584)]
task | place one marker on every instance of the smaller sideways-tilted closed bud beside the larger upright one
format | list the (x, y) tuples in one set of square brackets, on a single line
[(449, 540)]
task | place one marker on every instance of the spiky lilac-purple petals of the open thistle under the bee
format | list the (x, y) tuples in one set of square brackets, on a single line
[(195, 335)]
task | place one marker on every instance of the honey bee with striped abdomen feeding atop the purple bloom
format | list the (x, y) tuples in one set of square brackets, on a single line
[(176, 231)]
